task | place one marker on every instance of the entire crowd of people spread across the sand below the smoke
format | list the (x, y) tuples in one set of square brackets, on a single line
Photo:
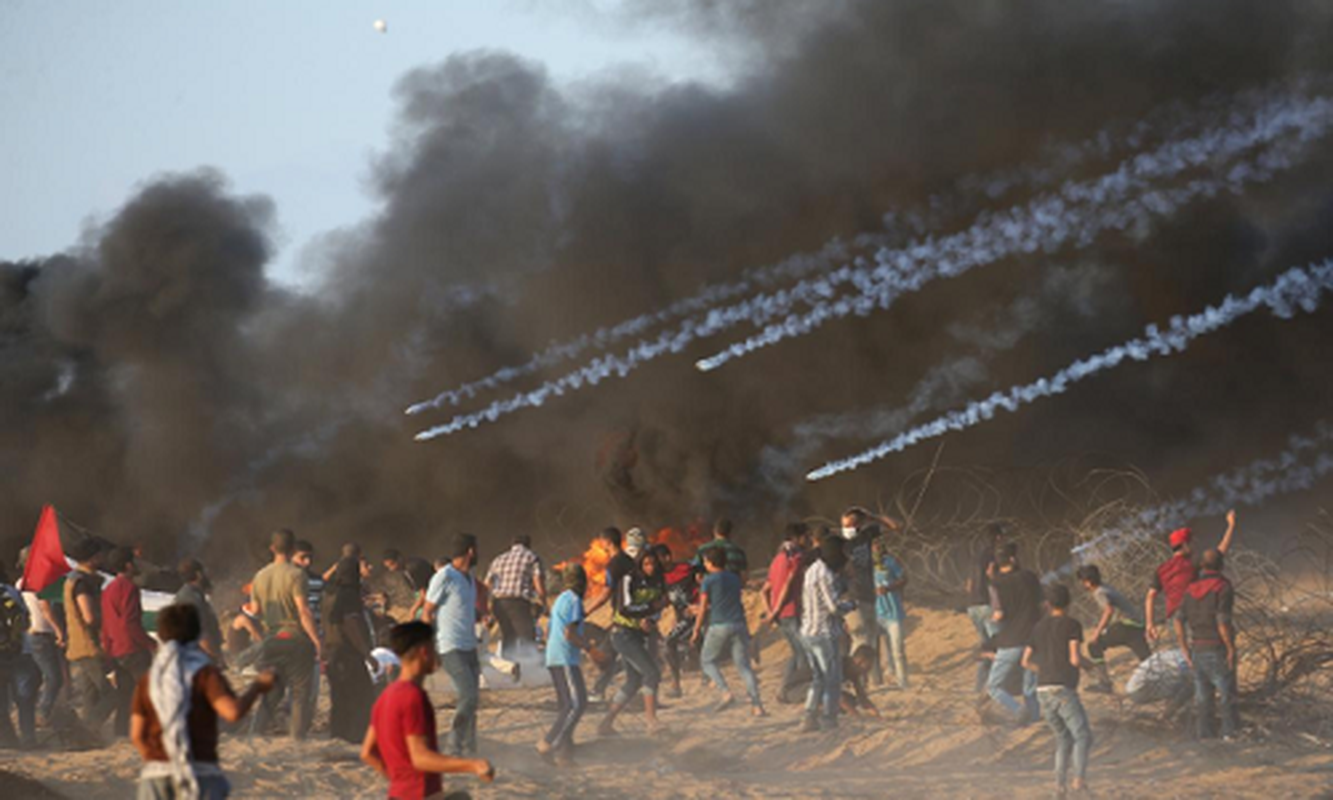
[(835, 595)]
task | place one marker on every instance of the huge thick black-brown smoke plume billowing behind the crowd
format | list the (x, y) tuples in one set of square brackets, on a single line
[(158, 387)]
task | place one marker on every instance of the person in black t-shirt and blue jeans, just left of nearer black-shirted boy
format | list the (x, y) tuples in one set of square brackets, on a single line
[(1018, 599)]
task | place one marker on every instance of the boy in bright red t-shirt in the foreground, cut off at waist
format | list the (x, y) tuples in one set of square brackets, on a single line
[(401, 743)]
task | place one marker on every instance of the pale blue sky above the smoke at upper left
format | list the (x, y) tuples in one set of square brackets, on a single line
[(289, 99)]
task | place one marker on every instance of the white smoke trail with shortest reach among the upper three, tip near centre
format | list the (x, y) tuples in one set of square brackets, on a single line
[(1078, 214)]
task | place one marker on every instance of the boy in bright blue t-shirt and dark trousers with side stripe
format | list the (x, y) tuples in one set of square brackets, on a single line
[(565, 642)]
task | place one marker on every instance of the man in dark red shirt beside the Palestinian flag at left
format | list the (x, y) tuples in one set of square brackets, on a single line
[(123, 637)]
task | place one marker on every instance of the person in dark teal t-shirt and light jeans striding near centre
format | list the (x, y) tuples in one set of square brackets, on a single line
[(722, 606)]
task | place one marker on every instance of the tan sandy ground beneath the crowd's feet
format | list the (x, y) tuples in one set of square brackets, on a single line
[(931, 743)]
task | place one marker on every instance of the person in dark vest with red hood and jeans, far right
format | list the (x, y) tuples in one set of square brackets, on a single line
[(1206, 615)]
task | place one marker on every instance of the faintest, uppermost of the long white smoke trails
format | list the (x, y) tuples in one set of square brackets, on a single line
[(1171, 122)]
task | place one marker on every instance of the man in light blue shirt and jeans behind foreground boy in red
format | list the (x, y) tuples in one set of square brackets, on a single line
[(451, 606)]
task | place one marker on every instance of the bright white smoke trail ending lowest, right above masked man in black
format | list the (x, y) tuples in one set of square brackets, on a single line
[(1294, 289)]
